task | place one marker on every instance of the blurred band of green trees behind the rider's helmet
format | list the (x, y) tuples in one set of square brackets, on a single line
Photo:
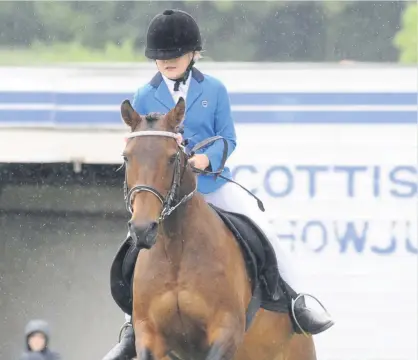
[(89, 31)]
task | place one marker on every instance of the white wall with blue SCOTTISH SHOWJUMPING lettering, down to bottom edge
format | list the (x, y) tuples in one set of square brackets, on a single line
[(344, 202)]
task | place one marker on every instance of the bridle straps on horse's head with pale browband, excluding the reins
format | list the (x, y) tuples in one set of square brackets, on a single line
[(168, 202)]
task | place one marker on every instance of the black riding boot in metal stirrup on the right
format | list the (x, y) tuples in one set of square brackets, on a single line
[(306, 320)]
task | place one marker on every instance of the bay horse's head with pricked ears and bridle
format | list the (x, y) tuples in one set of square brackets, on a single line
[(157, 178)]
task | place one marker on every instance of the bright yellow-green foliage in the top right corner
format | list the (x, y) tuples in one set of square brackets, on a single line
[(406, 39)]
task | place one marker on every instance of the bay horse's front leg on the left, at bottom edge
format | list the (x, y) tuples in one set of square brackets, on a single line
[(149, 344)]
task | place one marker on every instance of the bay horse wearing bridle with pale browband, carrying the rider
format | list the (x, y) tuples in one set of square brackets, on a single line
[(191, 288)]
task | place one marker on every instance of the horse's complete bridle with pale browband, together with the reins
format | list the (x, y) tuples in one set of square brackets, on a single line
[(168, 202)]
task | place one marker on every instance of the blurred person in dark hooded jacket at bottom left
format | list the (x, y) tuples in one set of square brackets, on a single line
[(37, 338)]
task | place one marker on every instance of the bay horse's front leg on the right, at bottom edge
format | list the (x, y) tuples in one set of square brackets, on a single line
[(225, 334)]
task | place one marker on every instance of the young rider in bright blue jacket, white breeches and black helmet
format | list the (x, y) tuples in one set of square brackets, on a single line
[(174, 42)]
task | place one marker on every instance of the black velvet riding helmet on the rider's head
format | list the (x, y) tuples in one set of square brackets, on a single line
[(171, 35)]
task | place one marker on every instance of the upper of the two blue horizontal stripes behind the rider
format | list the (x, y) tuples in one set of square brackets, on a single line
[(61, 98)]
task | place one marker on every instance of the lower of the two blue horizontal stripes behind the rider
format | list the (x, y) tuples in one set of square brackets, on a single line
[(298, 117)]
